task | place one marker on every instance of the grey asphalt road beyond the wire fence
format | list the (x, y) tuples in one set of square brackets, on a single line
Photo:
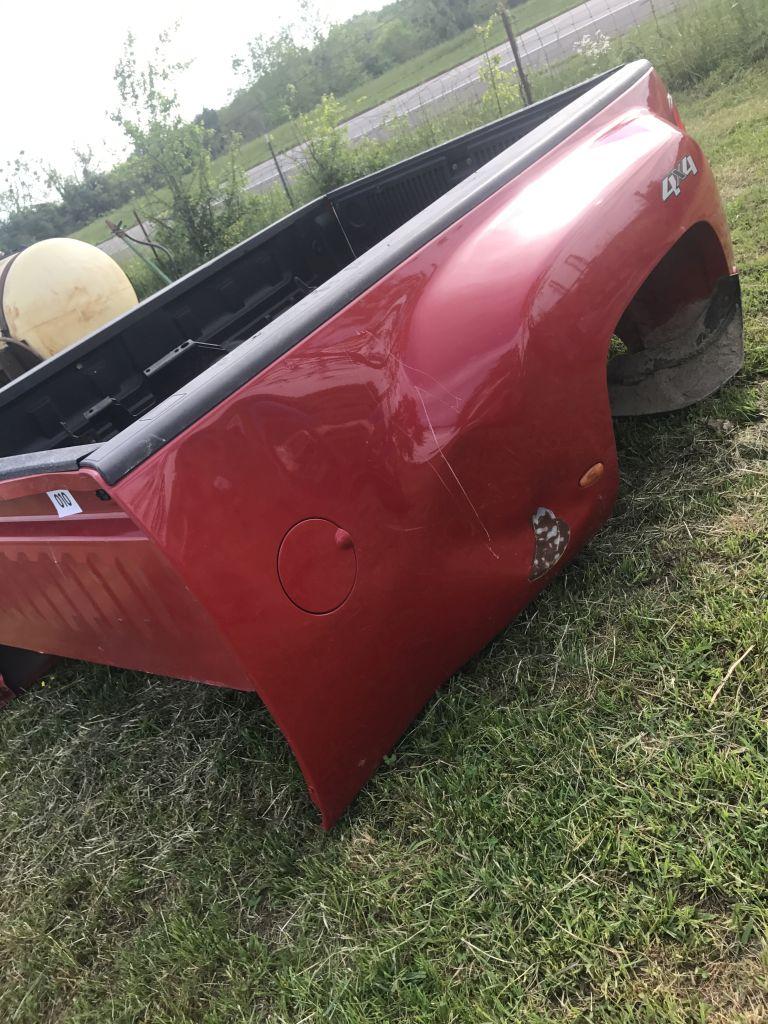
[(547, 44)]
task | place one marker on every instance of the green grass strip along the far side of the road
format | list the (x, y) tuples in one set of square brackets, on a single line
[(411, 73)]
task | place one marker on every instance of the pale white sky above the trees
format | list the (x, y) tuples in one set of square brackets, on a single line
[(59, 61)]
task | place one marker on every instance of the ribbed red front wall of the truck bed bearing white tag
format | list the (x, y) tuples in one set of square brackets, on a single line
[(95, 587)]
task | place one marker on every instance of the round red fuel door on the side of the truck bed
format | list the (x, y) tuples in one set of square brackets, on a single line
[(317, 566)]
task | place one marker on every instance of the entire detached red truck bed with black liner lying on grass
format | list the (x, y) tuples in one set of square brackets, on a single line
[(331, 465)]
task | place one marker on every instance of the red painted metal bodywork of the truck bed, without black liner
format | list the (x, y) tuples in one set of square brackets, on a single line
[(431, 421)]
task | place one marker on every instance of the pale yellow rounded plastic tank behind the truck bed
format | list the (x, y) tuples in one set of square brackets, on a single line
[(59, 291)]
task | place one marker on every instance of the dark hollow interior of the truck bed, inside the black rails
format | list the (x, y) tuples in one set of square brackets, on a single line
[(93, 392)]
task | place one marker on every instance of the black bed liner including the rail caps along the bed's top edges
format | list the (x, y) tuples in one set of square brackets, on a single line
[(117, 397)]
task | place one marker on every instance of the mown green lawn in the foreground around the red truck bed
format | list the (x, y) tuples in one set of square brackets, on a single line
[(576, 829)]
